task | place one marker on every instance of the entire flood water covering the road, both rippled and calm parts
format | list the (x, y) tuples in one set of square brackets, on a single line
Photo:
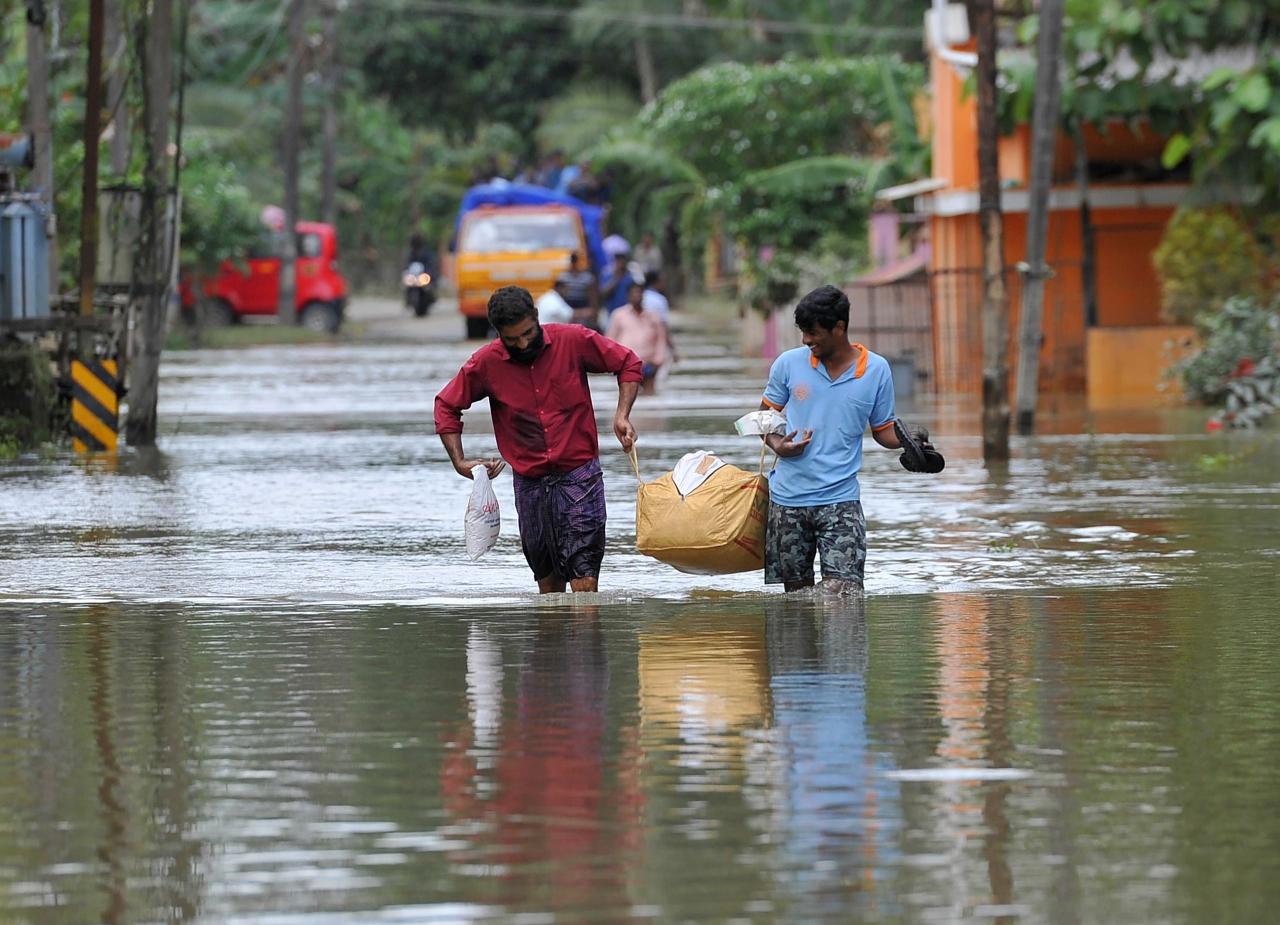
[(254, 677)]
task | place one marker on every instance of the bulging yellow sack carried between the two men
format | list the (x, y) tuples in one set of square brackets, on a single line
[(716, 530)]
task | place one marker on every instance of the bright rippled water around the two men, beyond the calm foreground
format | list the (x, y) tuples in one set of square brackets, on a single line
[(312, 474)]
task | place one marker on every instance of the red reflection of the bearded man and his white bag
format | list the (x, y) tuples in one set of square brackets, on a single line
[(556, 808)]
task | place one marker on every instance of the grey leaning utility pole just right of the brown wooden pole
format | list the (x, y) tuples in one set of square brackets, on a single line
[(1035, 272)]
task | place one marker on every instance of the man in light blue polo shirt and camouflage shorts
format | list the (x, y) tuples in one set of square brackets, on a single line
[(830, 391)]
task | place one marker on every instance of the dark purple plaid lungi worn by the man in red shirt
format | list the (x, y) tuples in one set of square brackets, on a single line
[(563, 523)]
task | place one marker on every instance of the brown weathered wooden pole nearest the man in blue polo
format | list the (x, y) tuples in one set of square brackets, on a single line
[(995, 299)]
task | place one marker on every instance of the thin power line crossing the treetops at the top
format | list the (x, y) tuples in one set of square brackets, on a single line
[(492, 11)]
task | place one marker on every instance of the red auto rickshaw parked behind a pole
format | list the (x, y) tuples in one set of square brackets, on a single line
[(253, 287)]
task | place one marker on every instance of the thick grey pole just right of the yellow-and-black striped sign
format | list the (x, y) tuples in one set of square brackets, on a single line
[(158, 259)]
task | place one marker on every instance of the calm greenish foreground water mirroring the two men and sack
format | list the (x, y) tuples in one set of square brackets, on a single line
[(755, 758)]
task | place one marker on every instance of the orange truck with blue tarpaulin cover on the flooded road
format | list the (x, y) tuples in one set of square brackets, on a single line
[(516, 235)]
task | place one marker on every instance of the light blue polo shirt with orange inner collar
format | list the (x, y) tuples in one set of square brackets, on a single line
[(839, 414)]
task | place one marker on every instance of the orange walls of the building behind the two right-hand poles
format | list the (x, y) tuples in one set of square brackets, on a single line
[(1128, 290)]
